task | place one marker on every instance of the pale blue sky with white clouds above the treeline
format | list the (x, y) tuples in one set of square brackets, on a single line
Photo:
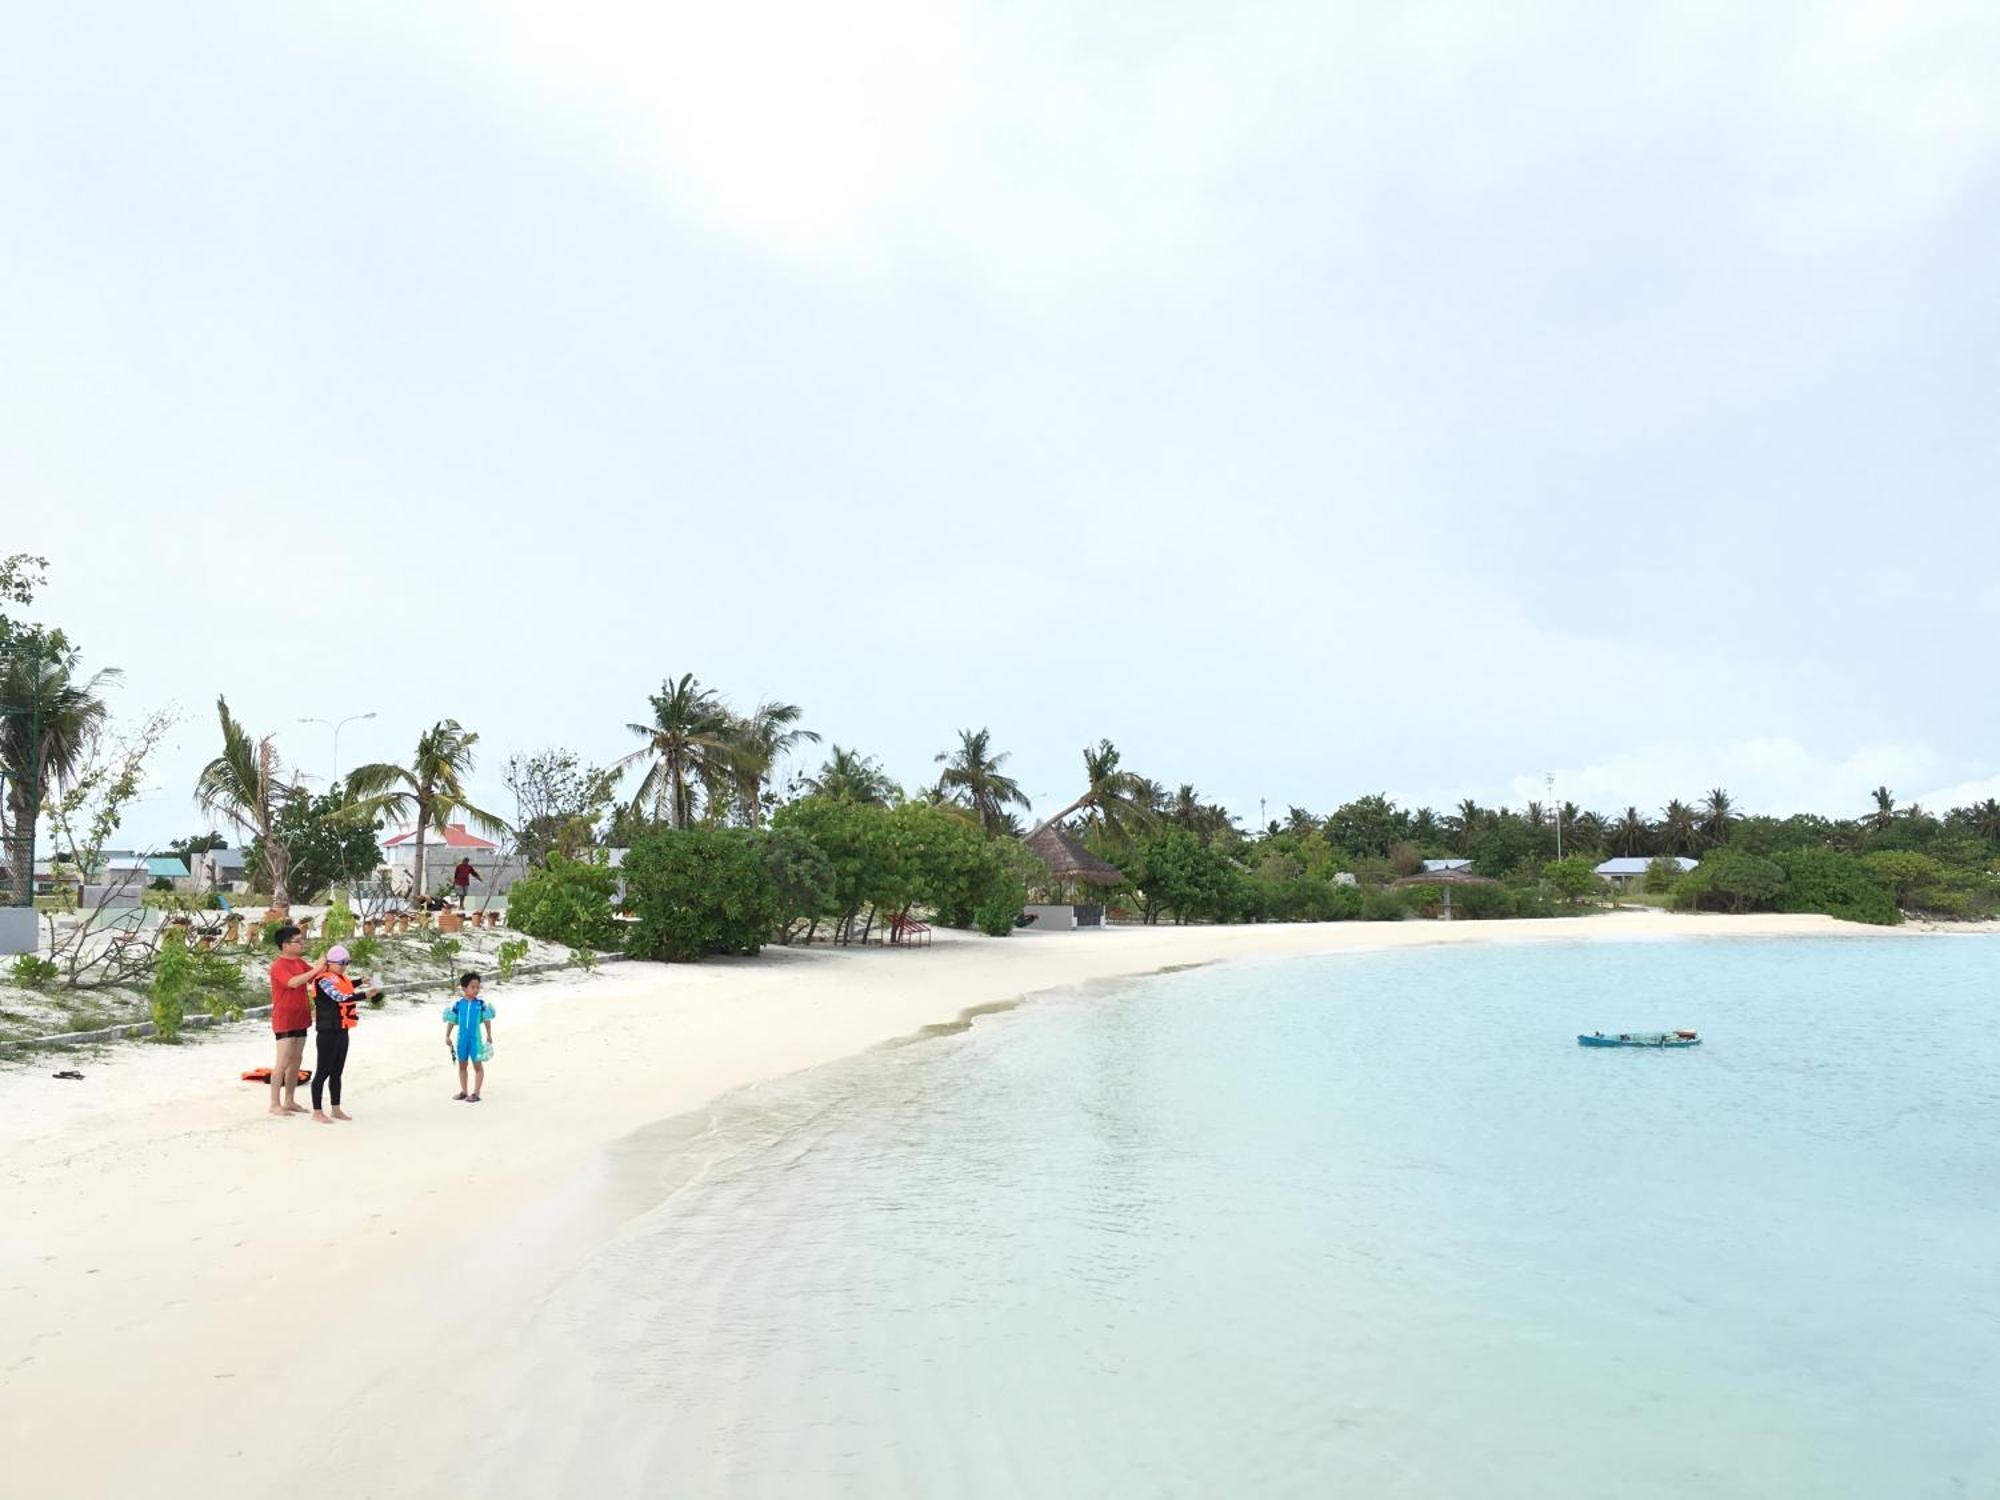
[(1311, 399)]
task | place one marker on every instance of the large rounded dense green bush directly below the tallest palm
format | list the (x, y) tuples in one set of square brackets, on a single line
[(699, 893)]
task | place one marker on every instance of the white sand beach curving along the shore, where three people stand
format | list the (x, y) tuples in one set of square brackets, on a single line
[(199, 1299)]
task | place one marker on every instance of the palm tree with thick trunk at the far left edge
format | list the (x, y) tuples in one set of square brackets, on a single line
[(49, 723)]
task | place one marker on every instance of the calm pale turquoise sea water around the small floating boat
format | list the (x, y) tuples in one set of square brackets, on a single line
[(1351, 1227)]
